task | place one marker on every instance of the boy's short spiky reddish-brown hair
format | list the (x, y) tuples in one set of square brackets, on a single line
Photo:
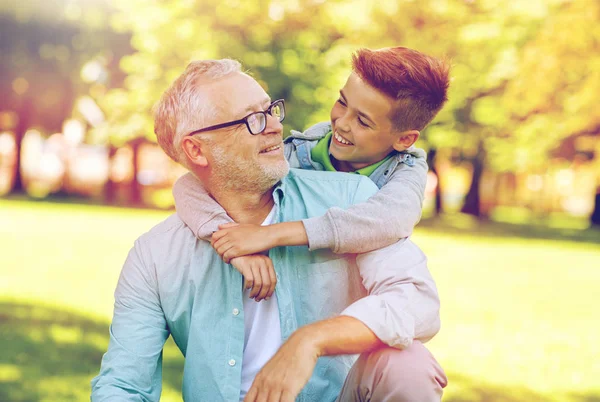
[(418, 83)]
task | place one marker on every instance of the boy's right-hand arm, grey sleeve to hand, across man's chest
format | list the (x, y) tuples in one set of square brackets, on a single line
[(383, 219)]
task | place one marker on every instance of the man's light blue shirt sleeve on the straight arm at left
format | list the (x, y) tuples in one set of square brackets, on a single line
[(131, 369)]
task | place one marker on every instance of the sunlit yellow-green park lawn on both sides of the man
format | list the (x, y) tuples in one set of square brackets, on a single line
[(519, 319)]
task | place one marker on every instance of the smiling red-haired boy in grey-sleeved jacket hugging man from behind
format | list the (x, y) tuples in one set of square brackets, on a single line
[(390, 96)]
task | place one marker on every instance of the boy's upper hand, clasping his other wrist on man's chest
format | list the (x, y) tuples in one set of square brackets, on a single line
[(234, 240)]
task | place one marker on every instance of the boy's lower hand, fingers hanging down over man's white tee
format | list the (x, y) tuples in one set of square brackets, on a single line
[(259, 275)]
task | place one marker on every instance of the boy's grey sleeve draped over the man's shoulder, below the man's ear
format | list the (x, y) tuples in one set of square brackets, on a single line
[(196, 208)]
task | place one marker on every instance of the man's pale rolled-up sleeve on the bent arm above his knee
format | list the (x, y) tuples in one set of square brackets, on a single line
[(403, 303)]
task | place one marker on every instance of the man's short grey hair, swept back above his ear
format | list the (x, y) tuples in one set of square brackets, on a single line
[(182, 108)]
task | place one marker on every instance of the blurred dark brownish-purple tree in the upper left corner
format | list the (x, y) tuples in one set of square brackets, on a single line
[(44, 46)]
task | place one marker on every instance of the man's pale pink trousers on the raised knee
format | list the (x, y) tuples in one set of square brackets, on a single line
[(393, 375)]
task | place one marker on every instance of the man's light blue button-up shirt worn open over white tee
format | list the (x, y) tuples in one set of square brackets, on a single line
[(174, 284)]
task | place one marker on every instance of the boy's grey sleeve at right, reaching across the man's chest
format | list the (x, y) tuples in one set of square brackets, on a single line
[(386, 217)]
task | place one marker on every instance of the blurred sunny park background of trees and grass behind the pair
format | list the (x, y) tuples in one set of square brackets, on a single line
[(511, 222)]
